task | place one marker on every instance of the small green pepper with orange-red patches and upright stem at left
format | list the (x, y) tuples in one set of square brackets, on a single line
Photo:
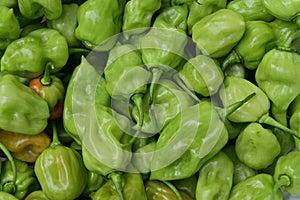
[(52, 90)]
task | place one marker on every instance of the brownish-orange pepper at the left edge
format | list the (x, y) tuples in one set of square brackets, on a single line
[(25, 147)]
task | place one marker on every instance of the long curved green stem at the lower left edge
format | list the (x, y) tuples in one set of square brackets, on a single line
[(10, 186)]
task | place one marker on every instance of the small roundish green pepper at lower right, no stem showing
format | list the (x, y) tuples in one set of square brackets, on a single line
[(257, 146)]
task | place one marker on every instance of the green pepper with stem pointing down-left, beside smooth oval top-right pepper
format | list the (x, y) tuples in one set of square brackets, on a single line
[(256, 39)]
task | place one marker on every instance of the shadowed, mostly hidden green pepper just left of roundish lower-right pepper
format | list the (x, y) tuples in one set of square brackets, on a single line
[(241, 171)]
